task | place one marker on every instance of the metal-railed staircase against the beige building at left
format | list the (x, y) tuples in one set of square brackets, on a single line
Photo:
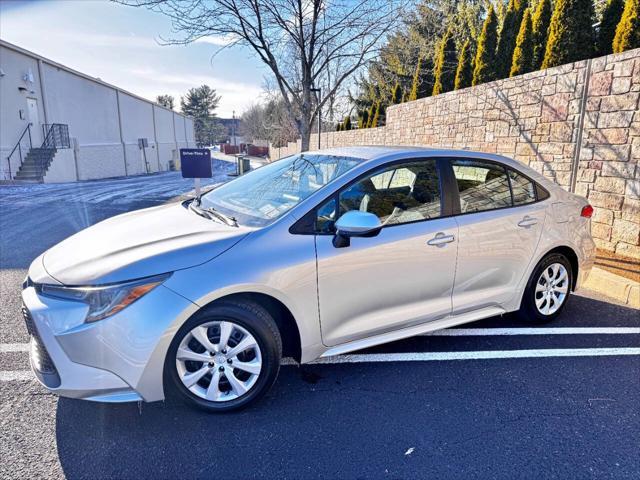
[(34, 165)]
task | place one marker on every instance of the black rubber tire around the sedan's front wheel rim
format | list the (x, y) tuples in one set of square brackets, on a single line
[(254, 319)]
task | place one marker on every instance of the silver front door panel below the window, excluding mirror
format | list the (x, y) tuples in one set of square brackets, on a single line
[(383, 283)]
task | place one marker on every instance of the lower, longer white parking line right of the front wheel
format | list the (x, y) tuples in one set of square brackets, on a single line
[(474, 355)]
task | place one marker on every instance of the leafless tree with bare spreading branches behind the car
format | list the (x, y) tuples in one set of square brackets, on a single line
[(307, 44)]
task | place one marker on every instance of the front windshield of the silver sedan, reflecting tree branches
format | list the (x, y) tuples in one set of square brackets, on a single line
[(265, 194)]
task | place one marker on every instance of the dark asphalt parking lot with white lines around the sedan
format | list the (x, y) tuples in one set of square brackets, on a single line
[(493, 399)]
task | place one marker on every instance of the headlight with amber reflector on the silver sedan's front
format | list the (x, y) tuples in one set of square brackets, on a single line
[(104, 301)]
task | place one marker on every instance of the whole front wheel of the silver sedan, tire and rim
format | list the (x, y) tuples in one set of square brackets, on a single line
[(226, 357)]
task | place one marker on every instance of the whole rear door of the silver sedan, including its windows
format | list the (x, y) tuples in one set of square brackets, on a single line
[(499, 226)]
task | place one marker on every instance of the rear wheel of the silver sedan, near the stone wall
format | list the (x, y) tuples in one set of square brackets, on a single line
[(548, 289)]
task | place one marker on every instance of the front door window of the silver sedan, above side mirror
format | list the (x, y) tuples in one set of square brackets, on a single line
[(398, 194)]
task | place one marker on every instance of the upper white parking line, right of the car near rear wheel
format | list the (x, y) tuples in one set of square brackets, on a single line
[(464, 332)]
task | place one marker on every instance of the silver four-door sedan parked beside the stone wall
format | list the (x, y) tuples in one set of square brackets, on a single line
[(317, 254)]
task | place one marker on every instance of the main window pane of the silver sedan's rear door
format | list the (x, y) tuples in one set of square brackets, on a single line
[(481, 185)]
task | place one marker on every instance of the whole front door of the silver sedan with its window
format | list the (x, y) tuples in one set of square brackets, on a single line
[(399, 278)]
